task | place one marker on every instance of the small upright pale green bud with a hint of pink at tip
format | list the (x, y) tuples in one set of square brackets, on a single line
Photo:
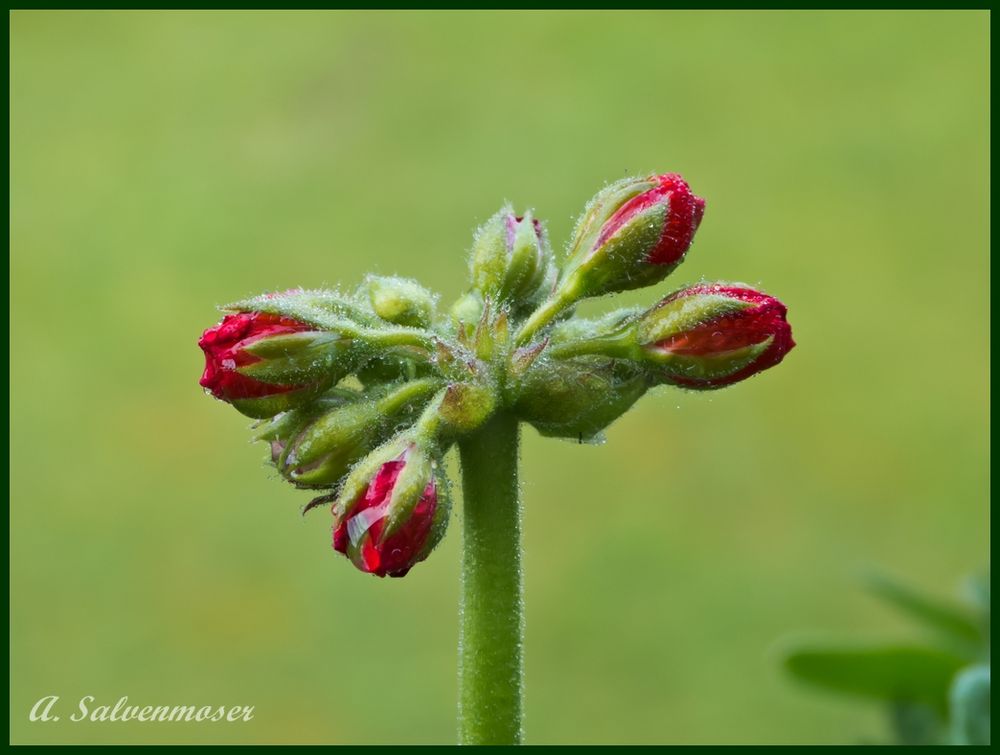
[(512, 259)]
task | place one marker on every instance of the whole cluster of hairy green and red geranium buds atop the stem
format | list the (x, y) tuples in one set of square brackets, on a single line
[(361, 395)]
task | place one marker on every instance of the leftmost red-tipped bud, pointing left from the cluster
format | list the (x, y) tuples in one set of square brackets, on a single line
[(264, 363)]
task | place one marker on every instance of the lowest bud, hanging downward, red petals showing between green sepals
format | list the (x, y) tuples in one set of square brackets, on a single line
[(391, 513)]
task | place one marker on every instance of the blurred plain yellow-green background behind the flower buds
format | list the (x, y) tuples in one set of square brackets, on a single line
[(166, 162)]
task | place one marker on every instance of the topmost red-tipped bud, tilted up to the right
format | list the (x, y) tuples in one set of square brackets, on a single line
[(632, 234)]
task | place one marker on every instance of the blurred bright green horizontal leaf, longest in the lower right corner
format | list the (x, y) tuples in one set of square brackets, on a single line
[(892, 672)]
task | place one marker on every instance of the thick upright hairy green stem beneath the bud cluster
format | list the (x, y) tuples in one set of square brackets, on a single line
[(491, 666)]
